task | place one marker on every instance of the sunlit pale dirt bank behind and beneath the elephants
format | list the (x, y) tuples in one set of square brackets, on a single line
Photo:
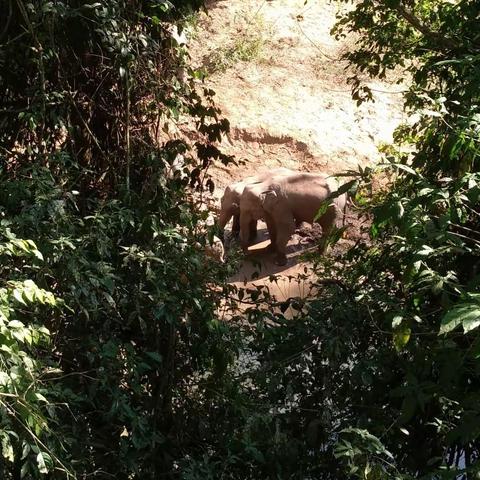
[(279, 79)]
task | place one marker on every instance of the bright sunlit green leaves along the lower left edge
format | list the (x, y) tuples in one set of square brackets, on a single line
[(28, 414)]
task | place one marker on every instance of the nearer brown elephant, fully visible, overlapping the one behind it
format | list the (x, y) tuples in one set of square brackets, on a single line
[(288, 201)]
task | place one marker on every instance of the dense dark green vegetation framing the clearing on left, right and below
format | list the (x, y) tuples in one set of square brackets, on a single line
[(113, 363)]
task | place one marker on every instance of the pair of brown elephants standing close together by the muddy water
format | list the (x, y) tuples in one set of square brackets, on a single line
[(284, 199)]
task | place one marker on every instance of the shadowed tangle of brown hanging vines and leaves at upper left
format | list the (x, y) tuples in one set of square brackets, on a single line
[(97, 81)]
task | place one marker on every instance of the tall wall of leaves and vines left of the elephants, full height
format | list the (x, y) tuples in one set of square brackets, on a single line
[(87, 92)]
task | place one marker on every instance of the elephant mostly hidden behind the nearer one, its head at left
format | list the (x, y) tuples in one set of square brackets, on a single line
[(230, 201)]
